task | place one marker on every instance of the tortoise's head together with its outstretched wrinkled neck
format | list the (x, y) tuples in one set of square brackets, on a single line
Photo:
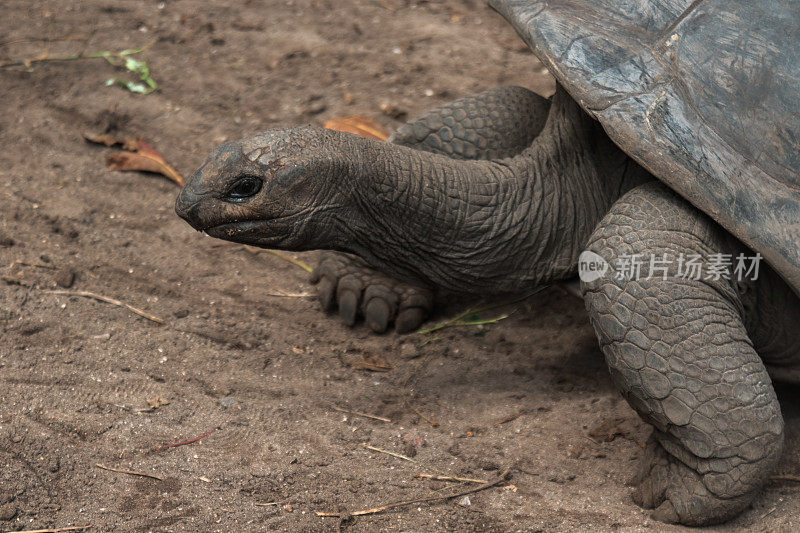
[(416, 216)]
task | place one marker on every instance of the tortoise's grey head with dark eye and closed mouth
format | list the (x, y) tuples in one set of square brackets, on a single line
[(270, 190)]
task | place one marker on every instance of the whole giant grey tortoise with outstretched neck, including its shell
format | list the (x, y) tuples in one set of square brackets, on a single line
[(672, 141)]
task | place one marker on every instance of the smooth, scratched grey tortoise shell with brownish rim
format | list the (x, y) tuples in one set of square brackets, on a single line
[(704, 94)]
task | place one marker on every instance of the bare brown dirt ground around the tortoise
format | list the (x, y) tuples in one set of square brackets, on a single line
[(84, 382)]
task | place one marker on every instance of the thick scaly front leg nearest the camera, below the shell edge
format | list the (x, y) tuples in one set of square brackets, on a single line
[(679, 351)]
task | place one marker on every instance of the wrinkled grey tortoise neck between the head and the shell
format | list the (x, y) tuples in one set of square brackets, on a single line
[(482, 226)]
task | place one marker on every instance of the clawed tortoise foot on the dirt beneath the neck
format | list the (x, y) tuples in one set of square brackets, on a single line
[(347, 283)]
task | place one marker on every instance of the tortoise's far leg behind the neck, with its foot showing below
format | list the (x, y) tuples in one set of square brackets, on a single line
[(494, 124)]
